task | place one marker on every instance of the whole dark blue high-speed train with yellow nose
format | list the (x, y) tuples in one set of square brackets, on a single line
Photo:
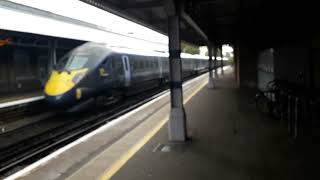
[(97, 72)]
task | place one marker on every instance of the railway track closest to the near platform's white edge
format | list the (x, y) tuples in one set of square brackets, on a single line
[(24, 152)]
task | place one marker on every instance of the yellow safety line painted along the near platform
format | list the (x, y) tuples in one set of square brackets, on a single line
[(123, 159)]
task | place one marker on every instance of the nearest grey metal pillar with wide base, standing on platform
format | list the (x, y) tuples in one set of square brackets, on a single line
[(177, 123)]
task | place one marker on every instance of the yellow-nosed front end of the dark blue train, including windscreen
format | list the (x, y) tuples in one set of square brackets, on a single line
[(70, 83)]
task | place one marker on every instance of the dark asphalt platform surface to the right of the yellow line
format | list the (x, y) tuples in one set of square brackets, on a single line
[(230, 141)]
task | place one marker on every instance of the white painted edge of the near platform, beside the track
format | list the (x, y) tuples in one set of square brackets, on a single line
[(27, 170)]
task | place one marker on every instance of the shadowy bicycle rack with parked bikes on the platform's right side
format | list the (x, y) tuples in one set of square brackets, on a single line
[(295, 105)]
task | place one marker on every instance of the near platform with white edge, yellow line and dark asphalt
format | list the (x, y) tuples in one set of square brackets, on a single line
[(229, 140)]
